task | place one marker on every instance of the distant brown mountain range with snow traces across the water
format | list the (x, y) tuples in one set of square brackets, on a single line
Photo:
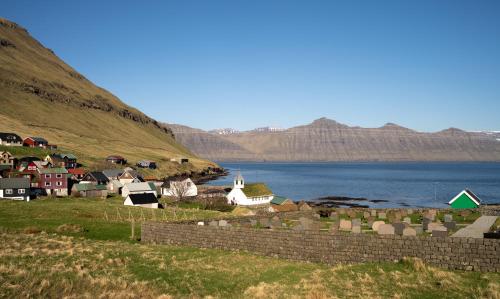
[(327, 140)]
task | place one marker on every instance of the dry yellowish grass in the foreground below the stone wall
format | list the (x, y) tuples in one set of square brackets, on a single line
[(50, 265)]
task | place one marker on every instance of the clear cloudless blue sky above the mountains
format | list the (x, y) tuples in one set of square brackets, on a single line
[(427, 65)]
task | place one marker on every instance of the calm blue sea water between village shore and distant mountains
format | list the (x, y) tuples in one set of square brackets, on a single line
[(401, 184)]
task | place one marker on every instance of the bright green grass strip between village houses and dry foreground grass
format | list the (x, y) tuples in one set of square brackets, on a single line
[(99, 219)]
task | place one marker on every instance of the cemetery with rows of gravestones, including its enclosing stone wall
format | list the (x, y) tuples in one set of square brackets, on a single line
[(346, 236)]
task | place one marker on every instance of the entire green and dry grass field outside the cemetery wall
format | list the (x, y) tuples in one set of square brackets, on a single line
[(42, 255)]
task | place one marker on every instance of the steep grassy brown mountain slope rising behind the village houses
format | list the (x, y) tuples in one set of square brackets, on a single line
[(42, 95)]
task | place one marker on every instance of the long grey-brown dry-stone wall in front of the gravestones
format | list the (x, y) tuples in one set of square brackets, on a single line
[(315, 246)]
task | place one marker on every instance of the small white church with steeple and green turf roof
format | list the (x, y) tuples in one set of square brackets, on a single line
[(249, 194)]
